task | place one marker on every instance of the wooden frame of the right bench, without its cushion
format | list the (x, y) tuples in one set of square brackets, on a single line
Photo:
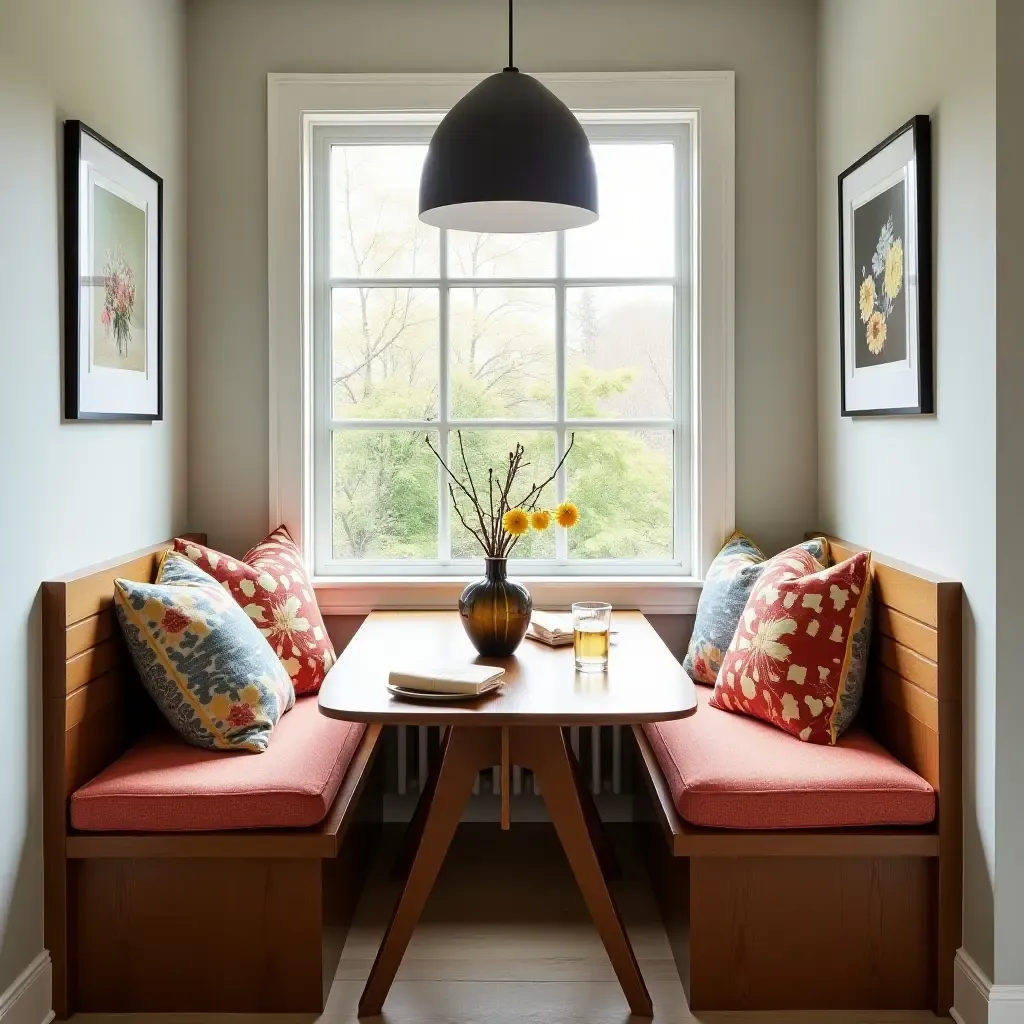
[(844, 919)]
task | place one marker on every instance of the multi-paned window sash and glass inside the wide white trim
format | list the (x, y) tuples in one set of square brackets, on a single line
[(479, 340)]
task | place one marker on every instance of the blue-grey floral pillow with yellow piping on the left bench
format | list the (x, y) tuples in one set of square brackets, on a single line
[(215, 678)]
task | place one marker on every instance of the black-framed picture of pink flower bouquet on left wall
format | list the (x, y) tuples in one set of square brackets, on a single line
[(113, 282)]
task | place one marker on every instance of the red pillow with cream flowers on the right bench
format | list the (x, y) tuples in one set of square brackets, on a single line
[(799, 656)]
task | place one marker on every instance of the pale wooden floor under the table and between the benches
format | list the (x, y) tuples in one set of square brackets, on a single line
[(506, 940)]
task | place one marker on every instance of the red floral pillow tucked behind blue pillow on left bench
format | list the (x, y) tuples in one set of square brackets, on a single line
[(272, 585)]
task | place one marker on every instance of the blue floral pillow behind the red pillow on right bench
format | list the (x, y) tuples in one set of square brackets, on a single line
[(730, 582)]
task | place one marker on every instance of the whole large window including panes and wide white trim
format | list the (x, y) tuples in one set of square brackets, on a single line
[(611, 337)]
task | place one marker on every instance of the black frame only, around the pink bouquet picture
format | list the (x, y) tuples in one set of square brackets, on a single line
[(78, 136)]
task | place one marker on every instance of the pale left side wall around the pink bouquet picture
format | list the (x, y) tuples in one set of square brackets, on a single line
[(72, 494)]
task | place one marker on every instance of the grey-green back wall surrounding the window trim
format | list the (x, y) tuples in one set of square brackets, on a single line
[(234, 44)]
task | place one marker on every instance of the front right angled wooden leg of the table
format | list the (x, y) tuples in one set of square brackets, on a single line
[(544, 751)]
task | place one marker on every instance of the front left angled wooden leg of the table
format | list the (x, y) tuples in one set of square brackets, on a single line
[(466, 752)]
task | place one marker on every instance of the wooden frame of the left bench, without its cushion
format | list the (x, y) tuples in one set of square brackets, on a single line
[(160, 922)]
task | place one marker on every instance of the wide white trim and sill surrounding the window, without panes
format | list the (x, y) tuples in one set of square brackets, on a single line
[(296, 103)]
